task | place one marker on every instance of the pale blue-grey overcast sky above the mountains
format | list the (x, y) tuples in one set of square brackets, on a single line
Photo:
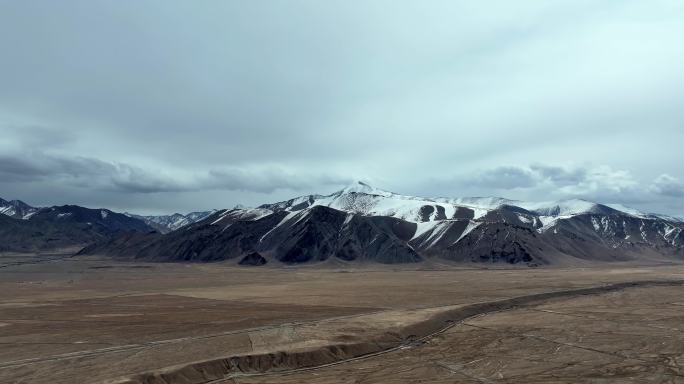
[(165, 106)]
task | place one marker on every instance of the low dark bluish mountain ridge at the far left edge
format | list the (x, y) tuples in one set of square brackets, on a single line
[(64, 226)]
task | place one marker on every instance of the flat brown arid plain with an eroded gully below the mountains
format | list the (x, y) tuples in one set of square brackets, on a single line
[(94, 320)]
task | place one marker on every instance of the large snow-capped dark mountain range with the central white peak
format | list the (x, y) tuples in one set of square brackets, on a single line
[(361, 223)]
